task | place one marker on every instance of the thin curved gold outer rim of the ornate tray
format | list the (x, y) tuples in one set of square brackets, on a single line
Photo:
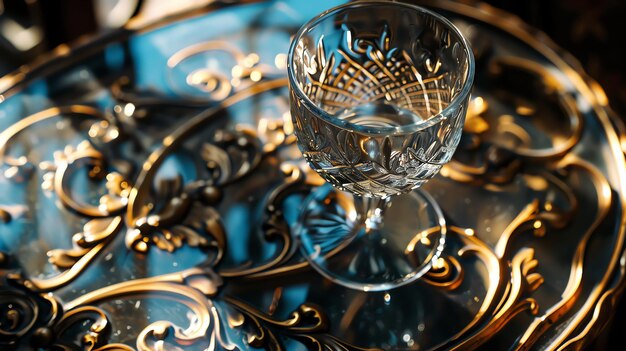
[(67, 54)]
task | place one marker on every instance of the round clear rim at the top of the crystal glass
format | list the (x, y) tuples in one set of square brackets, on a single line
[(413, 127)]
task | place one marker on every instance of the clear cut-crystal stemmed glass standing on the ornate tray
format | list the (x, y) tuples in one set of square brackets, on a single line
[(378, 92)]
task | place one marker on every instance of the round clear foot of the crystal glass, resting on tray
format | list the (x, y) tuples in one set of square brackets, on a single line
[(337, 242)]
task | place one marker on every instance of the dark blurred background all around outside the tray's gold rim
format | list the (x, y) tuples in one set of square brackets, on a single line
[(593, 31)]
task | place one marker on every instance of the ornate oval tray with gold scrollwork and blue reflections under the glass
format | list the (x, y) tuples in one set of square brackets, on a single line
[(150, 186)]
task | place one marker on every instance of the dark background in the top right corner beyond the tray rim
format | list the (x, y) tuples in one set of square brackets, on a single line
[(594, 31)]
